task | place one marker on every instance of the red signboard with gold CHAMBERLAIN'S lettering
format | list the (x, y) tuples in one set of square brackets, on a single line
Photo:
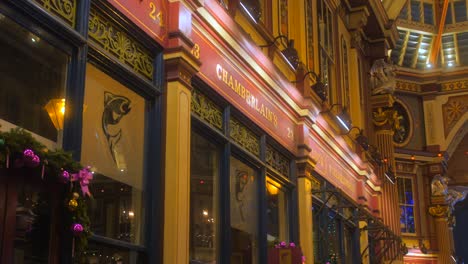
[(240, 90)]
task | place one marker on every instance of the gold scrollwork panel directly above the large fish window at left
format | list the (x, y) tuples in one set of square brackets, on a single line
[(119, 44)]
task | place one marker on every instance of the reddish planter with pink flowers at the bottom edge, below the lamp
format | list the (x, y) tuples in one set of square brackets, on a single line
[(284, 253)]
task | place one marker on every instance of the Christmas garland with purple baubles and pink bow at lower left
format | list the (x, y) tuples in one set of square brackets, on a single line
[(18, 149)]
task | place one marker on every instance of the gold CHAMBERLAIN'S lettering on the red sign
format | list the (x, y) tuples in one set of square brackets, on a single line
[(252, 101)]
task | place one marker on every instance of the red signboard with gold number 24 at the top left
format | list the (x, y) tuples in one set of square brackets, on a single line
[(149, 15)]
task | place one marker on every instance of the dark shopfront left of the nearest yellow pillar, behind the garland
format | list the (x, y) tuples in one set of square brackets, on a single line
[(66, 89)]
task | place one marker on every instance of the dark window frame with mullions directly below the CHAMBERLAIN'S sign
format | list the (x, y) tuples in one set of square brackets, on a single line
[(229, 148)]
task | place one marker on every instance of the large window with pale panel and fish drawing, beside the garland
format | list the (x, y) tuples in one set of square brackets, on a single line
[(113, 145)]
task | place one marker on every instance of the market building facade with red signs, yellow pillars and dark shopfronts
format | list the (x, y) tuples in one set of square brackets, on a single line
[(214, 129)]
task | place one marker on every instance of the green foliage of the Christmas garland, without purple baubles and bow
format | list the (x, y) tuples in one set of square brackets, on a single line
[(52, 164)]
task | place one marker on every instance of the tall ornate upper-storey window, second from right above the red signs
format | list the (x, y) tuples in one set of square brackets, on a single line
[(326, 43)]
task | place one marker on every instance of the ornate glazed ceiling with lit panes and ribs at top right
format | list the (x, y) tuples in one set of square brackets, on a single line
[(427, 41)]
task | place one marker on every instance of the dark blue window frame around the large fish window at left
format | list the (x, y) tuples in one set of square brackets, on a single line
[(75, 42)]
